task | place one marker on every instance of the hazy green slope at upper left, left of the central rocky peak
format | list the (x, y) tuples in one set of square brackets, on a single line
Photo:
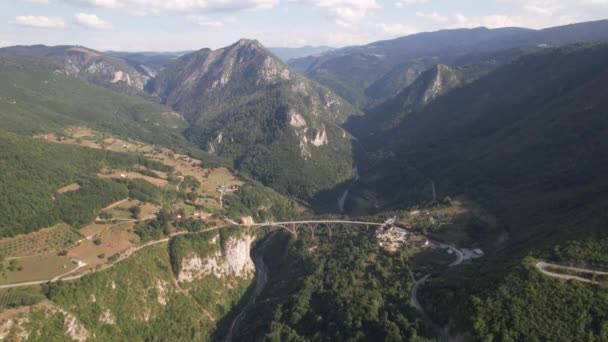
[(35, 98)]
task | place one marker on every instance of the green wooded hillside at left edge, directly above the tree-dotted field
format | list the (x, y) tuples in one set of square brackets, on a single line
[(32, 171)]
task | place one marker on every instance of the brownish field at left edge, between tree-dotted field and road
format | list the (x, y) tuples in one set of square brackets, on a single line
[(40, 267)]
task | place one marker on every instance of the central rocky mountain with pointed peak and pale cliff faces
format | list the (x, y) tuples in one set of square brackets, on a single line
[(246, 105)]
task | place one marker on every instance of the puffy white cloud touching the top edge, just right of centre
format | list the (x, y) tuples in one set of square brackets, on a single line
[(343, 12)]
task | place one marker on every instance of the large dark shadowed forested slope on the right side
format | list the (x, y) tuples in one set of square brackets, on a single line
[(490, 132)]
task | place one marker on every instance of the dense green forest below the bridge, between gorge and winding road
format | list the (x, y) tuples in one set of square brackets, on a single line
[(346, 288)]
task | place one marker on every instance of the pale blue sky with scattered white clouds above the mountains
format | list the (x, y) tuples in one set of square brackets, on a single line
[(173, 25)]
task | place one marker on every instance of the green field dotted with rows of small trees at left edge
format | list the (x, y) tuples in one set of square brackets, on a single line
[(46, 240)]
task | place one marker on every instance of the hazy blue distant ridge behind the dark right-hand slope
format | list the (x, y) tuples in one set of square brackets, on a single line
[(353, 72)]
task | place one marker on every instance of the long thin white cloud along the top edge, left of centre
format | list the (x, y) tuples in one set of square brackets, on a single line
[(147, 7)]
